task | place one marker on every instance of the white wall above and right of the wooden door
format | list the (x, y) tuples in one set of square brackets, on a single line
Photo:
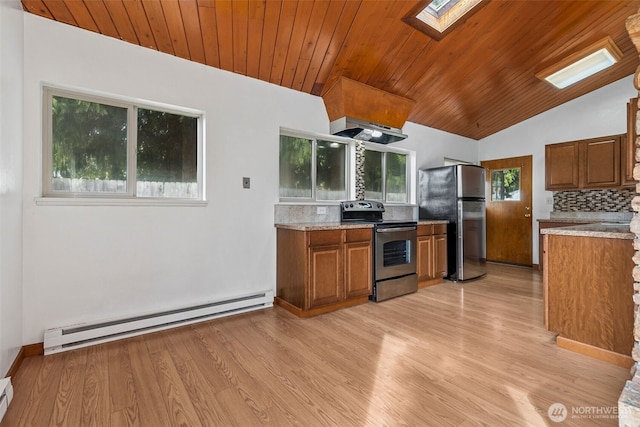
[(599, 113)]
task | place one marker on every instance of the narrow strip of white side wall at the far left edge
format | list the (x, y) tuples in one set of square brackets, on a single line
[(10, 183)]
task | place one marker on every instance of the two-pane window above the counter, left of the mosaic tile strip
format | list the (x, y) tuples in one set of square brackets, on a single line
[(314, 167)]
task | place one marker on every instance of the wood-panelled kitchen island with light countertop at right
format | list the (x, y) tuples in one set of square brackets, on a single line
[(588, 289)]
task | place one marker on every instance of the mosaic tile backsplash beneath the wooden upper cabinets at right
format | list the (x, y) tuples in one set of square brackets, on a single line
[(609, 200)]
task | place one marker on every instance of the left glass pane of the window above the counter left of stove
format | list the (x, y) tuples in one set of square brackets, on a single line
[(295, 167)]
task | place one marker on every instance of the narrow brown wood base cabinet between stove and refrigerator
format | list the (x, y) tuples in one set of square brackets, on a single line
[(432, 254)]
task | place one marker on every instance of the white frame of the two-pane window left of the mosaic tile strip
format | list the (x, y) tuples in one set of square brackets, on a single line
[(314, 137)]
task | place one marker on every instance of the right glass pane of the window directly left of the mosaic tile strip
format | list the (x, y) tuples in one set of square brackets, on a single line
[(331, 170)]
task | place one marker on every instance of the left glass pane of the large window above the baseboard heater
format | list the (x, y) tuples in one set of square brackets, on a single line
[(89, 147)]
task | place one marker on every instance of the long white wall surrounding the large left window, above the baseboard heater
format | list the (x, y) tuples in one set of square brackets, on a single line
[(91, 263)]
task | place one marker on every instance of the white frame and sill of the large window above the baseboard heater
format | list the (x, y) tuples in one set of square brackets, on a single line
[(50, 197)]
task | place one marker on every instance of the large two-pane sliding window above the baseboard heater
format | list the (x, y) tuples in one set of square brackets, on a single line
[(98, 146)]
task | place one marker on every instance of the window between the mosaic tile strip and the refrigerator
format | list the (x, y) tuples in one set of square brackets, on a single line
[(387, 173)]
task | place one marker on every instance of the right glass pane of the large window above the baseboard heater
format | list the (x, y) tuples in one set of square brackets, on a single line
[(167, 158)]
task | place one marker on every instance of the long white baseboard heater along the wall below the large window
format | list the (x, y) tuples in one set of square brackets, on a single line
[(66, 338)]
